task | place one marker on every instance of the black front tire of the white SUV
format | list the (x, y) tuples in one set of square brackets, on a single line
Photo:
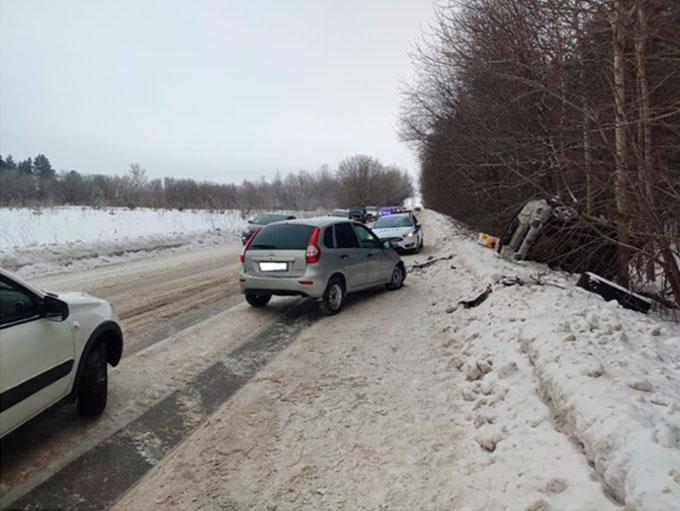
[(93, 386)]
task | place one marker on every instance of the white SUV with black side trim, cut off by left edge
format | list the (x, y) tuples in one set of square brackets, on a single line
[(54, 350)]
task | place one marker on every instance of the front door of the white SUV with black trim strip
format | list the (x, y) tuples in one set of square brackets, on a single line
[(36, 357)]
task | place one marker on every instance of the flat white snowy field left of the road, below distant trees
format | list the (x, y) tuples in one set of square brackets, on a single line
[(39, 241)]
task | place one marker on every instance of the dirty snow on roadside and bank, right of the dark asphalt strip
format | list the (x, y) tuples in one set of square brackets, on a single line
[(542, 397)]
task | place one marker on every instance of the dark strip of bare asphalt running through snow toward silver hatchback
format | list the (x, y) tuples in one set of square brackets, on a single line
[(100, 476)]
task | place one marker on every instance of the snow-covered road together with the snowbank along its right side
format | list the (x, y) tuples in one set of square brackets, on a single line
[(534, 400)]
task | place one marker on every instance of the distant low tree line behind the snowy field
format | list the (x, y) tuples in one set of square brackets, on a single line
[(359, 180)]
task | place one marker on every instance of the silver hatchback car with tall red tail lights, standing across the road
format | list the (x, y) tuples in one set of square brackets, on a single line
[(324, 258)]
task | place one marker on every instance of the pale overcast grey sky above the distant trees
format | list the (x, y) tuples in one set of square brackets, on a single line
[(220, 90)]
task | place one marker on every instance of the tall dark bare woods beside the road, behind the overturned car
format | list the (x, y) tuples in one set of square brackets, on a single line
[(572, 100)]
